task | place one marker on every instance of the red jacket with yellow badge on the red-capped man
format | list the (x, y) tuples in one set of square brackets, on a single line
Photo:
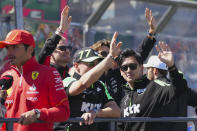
[(37, 87)]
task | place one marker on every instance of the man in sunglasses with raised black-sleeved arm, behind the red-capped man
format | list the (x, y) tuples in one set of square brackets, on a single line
[(56, 52)]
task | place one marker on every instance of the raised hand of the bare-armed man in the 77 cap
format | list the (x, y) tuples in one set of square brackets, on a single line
[(114, 48)]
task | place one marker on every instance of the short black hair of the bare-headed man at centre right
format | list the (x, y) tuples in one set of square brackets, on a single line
[(127, 53)]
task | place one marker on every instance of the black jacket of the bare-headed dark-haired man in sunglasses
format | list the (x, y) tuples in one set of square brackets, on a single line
[(158, 98)]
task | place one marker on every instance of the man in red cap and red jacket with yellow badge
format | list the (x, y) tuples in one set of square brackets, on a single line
[(37, 92)]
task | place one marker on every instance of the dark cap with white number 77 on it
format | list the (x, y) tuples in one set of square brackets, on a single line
[(86, 55)]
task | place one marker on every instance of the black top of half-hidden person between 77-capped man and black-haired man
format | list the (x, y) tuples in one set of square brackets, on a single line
[(114, 80)]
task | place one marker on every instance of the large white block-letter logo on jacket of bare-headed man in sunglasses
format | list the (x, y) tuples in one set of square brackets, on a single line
[(134, 109)]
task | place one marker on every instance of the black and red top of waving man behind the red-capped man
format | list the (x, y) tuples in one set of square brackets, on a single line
[(47, 50)]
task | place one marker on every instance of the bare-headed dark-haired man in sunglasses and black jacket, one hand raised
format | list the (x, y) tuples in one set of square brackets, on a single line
[(145, 98)]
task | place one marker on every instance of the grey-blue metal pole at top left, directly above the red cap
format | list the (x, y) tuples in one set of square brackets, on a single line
[(18, 6)]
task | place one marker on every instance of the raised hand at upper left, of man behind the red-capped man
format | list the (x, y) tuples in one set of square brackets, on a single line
[(65, 19)]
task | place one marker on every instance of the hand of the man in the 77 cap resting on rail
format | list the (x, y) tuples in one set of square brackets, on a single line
[(88, 118)]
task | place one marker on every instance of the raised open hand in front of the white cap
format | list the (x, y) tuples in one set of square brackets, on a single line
[(165, 54)]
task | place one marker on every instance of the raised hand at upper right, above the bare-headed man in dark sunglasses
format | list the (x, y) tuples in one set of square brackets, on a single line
[(151, 21)]
